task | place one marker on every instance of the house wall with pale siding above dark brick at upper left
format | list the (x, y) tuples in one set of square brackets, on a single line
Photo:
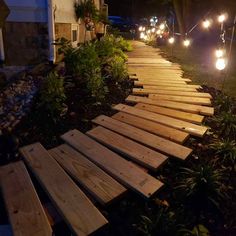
[(32, 26)]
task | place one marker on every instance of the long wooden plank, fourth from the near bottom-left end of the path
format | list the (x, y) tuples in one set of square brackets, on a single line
[(124, 171)]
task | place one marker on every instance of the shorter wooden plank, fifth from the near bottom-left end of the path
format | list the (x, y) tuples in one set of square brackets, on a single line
[(135, 151)]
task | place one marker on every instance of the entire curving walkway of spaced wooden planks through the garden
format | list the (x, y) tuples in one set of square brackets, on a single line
[(110, 158)]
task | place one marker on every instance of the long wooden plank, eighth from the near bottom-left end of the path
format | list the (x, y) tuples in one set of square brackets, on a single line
[(193, 129)]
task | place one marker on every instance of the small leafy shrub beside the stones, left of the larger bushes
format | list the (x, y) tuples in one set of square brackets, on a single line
[(52, 96)]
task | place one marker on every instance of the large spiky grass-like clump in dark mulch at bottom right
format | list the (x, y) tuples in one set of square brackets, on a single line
[(202, 185)]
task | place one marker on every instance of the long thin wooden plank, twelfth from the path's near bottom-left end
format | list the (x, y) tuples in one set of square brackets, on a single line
[(170, 92)]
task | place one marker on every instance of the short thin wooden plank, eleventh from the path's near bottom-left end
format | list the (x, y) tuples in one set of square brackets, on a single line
[(190, 100)]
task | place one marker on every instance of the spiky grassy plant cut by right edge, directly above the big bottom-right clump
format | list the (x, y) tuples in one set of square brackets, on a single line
[(226, 150)]
